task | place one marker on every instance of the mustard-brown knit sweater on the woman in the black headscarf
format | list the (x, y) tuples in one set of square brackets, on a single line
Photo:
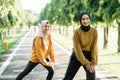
[(86, 41)]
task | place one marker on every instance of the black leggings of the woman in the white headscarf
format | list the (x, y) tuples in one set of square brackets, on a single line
[(29, 68)]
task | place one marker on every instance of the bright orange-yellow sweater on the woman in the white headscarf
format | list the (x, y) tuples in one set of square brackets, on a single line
[(40, 54)]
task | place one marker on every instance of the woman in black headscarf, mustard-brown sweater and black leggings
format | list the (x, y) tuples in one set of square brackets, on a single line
[(85, 50)]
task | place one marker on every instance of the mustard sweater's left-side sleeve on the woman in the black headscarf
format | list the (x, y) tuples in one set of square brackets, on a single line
[(78, 50)]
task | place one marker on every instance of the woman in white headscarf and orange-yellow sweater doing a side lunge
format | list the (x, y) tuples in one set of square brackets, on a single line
[(42, 52)]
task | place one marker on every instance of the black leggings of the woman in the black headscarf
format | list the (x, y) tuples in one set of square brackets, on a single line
[(74, 65)]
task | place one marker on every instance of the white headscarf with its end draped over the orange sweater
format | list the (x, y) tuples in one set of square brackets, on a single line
[(42, 35)]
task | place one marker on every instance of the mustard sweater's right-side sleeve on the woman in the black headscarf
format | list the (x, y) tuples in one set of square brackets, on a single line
[(94, 48)]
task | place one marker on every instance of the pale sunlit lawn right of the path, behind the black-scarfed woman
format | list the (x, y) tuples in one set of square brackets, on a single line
[(108, 59)]
